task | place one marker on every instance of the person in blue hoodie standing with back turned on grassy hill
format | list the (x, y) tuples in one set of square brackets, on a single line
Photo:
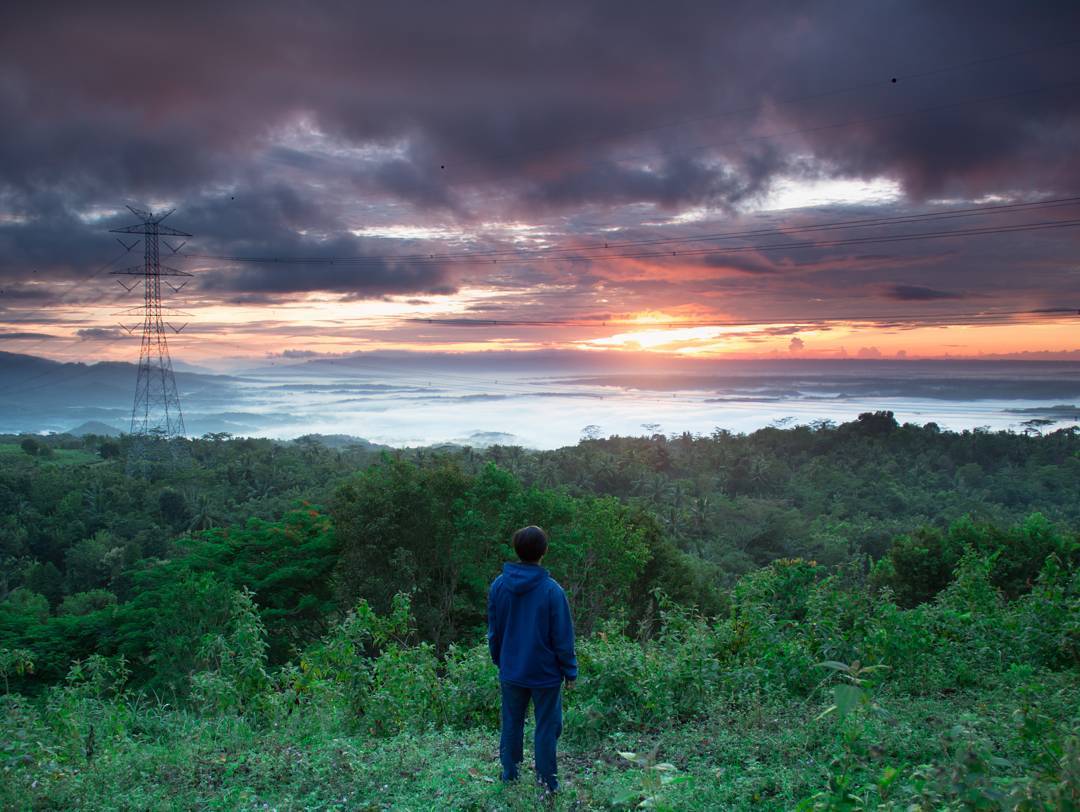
[(531, 637)]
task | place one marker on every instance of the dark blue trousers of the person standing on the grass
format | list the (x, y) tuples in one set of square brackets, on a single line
[(548, 705)]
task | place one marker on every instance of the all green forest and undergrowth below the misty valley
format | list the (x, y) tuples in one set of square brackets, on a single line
[(834, 617)]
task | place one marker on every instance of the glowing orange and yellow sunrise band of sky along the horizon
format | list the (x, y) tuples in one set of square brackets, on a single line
[(336, 324)]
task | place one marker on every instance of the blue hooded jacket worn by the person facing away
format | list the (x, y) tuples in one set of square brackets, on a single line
[(530, 630)]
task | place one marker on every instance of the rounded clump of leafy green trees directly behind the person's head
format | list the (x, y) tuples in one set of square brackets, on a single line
[(441, 535)]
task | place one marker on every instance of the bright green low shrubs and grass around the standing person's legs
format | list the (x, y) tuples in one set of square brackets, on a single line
[(811, 692)]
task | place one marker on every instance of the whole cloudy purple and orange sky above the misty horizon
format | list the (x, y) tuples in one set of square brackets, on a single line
[(441, 165)]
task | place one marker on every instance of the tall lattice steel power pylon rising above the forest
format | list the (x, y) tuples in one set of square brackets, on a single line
[(157, 410)]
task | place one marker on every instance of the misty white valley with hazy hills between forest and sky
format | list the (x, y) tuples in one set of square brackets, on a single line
[(536, 399)]
